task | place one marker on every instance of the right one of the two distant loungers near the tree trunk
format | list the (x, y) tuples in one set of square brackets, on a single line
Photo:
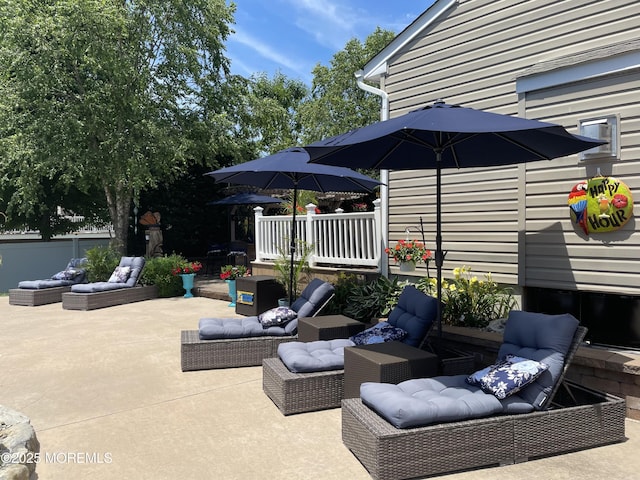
[(121, 288)]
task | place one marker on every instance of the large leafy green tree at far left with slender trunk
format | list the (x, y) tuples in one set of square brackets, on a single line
[(110, 97)]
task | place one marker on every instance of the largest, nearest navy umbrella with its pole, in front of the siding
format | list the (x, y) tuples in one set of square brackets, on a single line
[(447, 136)]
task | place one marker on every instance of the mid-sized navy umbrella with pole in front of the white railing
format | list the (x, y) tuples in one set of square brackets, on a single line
[(289, 169)]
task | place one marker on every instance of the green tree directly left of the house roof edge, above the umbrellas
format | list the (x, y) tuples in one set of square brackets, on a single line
[(336, 104)]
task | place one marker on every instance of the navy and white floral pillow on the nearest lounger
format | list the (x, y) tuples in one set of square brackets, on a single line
[(508, 376)]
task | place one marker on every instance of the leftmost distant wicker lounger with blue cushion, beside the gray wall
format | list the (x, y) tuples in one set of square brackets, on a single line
[(41, 292)]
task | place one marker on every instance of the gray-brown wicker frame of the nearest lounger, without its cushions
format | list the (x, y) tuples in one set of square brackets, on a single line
[(573, 419)]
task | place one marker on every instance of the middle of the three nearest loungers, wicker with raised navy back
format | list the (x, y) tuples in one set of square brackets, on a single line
[(307, 376)]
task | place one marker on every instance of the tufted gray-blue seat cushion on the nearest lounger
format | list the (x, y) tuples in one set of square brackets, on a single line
[(426, 401)]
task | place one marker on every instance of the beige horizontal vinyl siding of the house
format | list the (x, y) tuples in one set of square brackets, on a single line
[(514, 221)]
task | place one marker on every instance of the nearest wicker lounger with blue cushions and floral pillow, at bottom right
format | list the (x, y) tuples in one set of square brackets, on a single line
[(433, 426)]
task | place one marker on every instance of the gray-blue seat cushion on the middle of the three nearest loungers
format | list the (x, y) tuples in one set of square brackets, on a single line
[(321, 355)]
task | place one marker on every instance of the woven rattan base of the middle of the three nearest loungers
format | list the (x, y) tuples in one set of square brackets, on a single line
[(301, 392)]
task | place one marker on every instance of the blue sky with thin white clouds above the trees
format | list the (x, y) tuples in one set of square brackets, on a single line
[(292, 36)]
